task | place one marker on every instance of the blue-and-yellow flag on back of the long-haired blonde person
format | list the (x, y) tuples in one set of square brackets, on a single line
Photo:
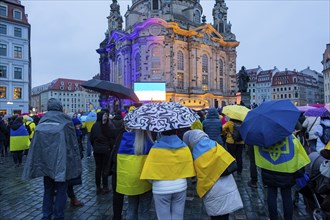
[(129, 167)]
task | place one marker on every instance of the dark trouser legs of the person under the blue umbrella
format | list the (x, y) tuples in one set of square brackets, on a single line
[(286, 200)]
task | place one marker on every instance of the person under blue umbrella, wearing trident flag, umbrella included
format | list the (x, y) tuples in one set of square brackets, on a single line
[(278, 153)]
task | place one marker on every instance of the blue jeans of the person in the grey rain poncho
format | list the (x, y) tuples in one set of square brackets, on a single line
[(60, 199)]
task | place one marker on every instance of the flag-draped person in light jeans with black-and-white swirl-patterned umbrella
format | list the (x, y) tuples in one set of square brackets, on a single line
[(169, 161)]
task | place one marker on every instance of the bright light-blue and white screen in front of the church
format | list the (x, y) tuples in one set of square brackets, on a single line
[(150, 91)]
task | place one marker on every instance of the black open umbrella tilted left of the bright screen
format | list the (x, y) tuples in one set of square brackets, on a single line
[(111, 89)]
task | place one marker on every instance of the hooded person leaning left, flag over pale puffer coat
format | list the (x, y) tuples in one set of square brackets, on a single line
[(218, 191)]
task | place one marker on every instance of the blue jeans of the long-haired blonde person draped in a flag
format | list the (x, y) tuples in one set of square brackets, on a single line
[(139, 206)]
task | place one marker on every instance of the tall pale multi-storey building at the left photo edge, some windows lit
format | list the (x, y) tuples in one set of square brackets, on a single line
[(15, 58)]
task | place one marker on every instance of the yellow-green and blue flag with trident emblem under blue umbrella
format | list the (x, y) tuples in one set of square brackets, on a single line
[(287, 156)]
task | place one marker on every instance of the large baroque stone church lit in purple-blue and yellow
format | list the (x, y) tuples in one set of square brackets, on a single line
[(169, 41)]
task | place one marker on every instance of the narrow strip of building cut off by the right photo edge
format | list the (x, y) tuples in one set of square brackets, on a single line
[(326, 73)]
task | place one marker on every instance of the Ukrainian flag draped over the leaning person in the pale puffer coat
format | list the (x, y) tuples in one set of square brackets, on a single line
[(210, 161)]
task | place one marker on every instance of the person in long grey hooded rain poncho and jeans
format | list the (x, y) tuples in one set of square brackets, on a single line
[(54, 155)]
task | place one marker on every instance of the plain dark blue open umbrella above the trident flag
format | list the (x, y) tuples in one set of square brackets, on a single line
[(269, 123)]
